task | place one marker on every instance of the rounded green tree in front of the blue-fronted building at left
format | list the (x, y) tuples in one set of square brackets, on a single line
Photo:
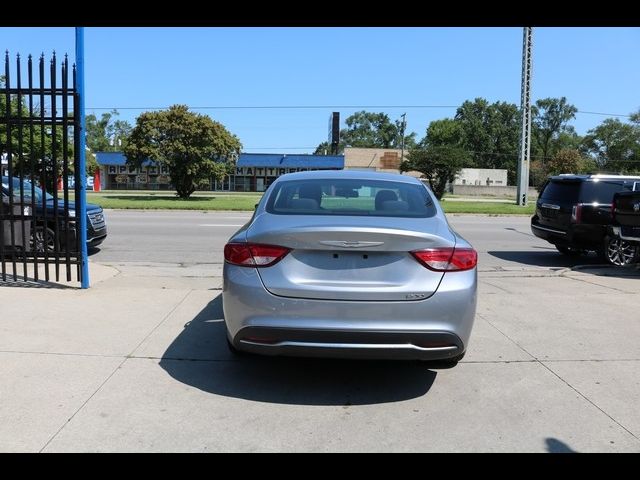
[(193, 146)]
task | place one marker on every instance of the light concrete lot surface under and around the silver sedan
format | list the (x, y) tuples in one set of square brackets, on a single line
[(139, 363)]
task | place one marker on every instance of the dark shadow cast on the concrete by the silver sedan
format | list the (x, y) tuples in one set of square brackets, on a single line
[(199, 357)]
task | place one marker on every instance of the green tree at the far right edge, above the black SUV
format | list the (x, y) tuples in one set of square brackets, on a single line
[(614, 145)]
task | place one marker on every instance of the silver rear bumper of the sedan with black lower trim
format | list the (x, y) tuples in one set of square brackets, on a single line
[(437, 328)]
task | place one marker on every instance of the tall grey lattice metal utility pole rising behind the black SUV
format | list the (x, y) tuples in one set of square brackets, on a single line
[(525, 107)]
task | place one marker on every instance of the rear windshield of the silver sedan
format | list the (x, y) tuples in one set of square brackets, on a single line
[(350, 197)]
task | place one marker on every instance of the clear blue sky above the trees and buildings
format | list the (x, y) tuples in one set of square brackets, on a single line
[(425, 72)]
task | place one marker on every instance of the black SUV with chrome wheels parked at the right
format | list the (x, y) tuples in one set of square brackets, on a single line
[(573, 212)]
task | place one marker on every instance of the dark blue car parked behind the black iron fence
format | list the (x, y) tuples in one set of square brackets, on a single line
[(96, 224)]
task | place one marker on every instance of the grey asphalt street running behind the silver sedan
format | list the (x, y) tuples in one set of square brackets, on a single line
[(189, 238)]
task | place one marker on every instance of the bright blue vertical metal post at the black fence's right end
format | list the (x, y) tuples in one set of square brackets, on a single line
[(82, 214)]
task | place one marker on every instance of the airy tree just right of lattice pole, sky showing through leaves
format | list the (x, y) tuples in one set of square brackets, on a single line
[(551, 130)]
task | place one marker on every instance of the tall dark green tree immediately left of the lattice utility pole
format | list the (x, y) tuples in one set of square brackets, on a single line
[(490, 133)]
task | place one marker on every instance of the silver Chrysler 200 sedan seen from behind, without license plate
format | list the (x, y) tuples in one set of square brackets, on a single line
[(349, 264)]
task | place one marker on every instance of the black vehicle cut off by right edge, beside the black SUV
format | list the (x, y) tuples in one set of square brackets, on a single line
[(625, 231)]
